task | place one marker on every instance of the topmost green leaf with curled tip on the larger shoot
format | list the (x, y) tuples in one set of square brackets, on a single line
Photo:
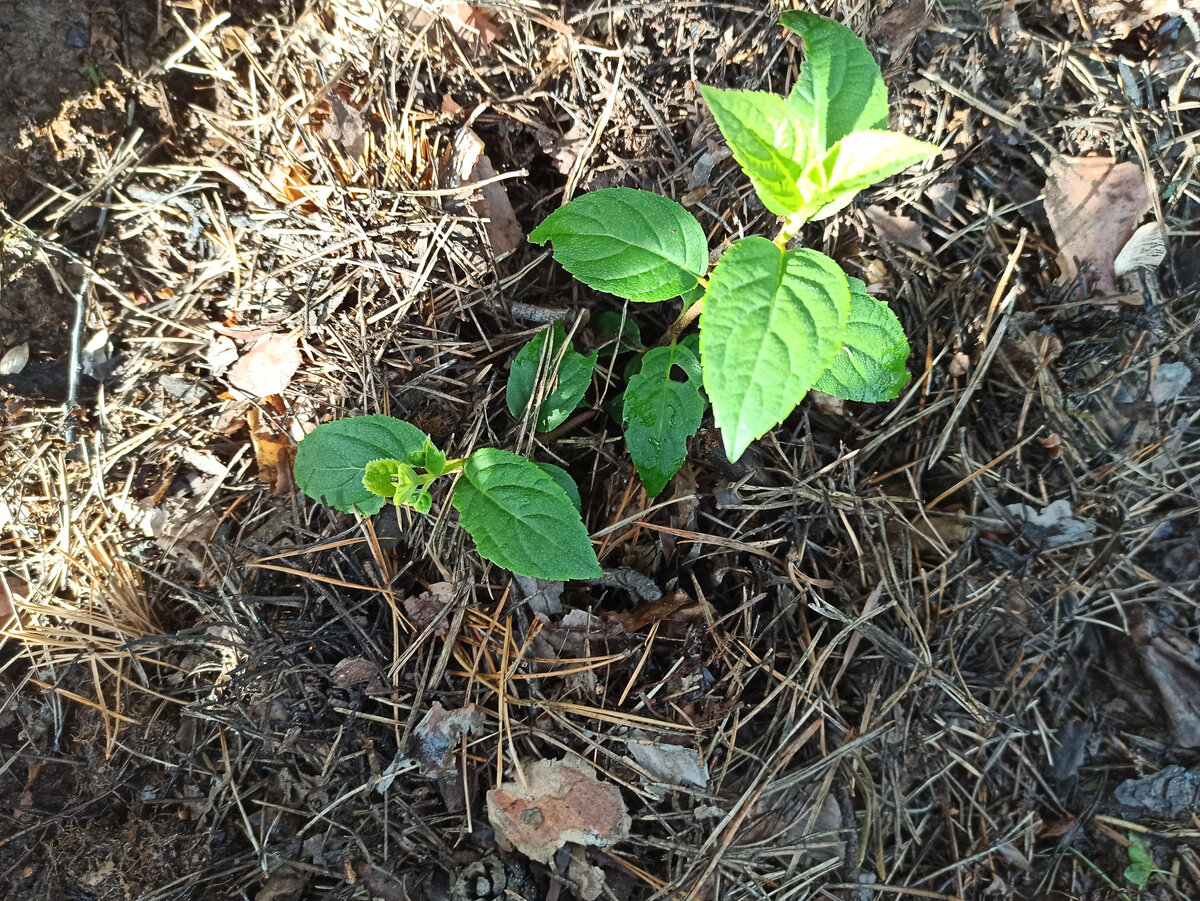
[(841, 89)]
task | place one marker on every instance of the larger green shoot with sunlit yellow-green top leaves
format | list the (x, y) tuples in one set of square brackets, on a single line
[(775, 322)]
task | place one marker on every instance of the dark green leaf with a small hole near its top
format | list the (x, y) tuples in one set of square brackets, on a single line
[(662, 415)]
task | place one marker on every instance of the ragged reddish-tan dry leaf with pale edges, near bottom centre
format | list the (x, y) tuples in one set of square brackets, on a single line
[(561, 802)]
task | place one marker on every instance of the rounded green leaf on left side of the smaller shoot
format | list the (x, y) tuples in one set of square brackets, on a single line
[(332, 460)]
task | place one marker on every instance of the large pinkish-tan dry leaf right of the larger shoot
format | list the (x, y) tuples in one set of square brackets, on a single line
[(1094, 206)]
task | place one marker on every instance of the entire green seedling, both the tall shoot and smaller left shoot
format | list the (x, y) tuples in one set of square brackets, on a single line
[(775, 323)]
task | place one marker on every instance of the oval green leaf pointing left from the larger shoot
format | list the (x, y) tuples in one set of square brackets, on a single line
[(633, 244)]
